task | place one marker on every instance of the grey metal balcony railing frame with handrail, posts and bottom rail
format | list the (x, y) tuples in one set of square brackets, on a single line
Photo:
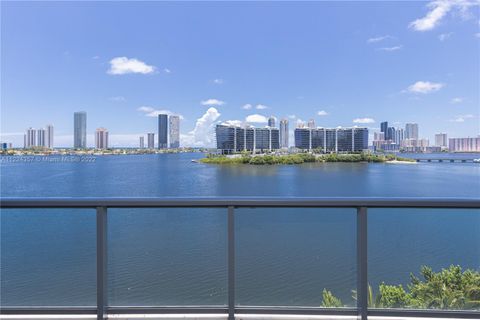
[(232, 309)]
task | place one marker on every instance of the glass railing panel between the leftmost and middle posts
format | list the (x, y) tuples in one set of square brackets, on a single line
[(167, 256)]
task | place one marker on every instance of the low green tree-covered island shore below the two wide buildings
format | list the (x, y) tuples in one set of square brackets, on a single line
[(299, 158)]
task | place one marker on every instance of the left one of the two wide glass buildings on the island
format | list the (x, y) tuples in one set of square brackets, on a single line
[(232, 138)]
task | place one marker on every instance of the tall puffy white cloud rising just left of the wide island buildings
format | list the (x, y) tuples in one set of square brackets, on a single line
[(203, 135)]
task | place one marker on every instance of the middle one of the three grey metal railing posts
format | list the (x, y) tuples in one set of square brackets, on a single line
[(231, 262)]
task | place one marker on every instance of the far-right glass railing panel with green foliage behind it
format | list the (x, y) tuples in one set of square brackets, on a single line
[(424, 258)]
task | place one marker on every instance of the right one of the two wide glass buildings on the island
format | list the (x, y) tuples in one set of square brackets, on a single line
[(332, 139)]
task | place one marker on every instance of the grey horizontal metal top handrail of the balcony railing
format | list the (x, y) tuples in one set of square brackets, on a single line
[(340, 202)]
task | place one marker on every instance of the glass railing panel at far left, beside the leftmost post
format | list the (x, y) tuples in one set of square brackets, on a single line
[(48, 257)]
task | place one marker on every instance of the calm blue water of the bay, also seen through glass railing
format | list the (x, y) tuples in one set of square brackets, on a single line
[(178, 256)]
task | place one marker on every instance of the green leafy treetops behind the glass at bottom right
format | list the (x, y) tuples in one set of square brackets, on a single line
[(447, 289)]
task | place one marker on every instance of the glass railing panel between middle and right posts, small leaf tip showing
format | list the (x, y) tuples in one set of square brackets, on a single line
[(295, 256)]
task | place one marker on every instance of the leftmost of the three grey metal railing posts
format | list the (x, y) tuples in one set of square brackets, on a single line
[(101, 263)]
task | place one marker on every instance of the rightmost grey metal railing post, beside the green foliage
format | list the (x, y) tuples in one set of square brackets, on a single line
[(362, 264)]
